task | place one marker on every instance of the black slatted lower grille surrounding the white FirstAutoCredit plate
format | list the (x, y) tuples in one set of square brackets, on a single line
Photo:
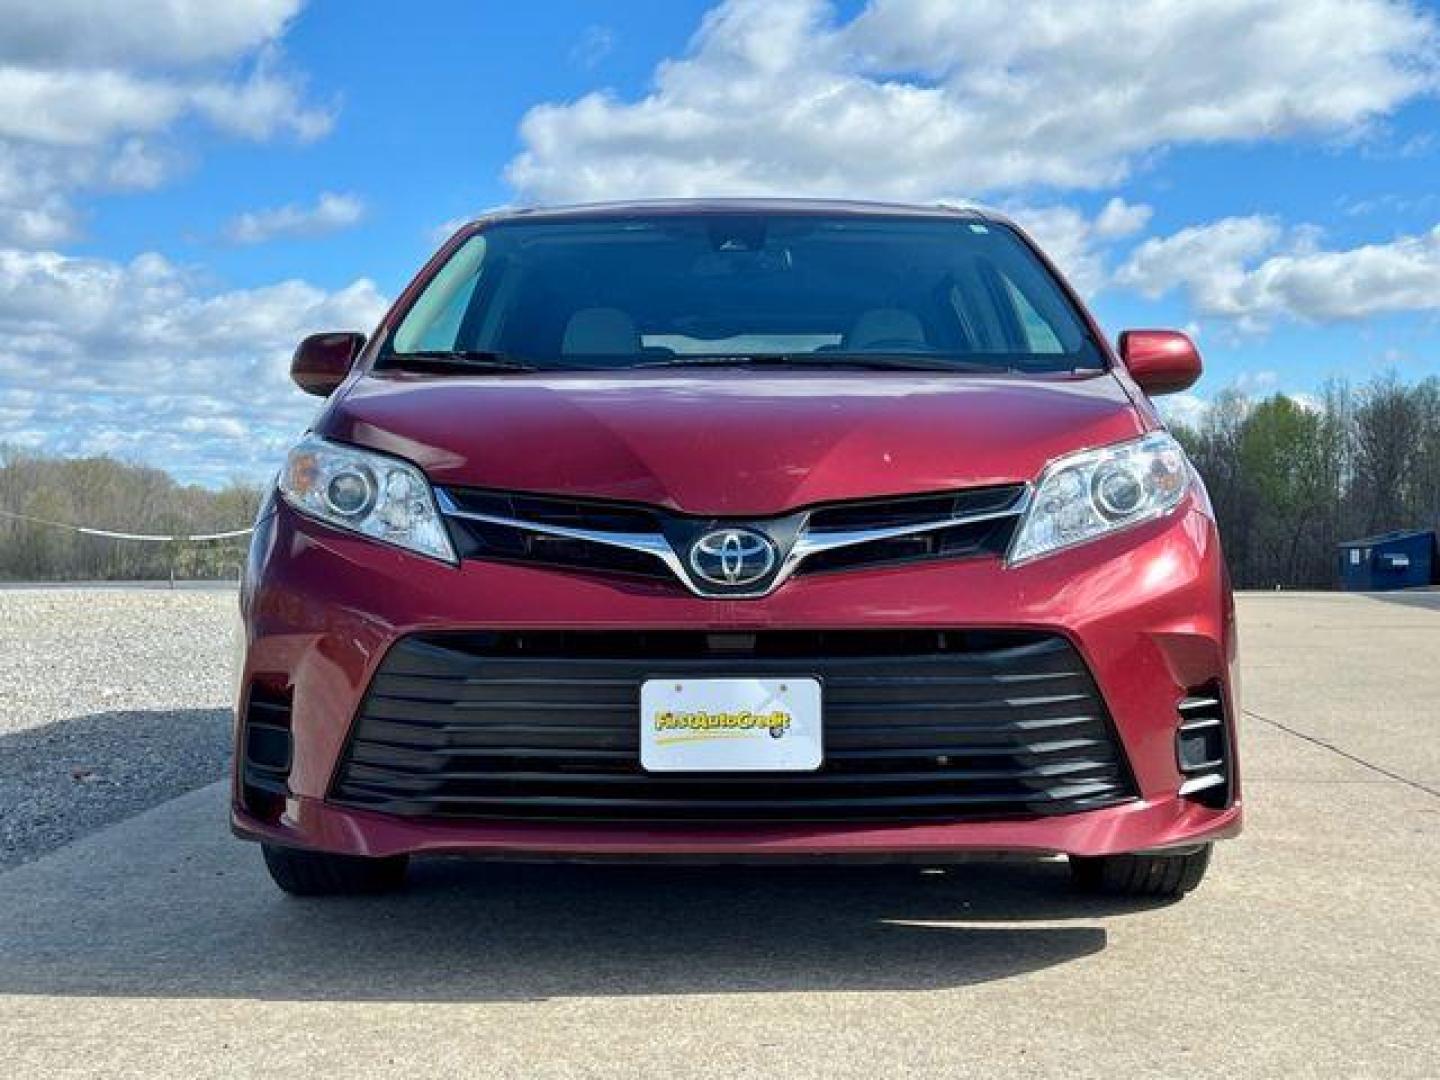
[(919, 726)]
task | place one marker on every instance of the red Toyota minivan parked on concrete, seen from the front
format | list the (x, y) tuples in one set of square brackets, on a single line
[(738, 529)]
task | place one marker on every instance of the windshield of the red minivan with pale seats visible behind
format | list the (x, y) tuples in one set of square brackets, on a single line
[(747, 287)]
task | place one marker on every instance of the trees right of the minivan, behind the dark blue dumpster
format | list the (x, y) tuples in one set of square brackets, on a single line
[(1292, 479)]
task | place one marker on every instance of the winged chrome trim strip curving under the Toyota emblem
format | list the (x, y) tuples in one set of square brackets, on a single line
[(806, 545)]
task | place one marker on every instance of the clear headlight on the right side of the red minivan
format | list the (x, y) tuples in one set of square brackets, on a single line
[(1091, 495)]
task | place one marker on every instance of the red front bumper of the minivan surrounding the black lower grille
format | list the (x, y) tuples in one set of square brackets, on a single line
[(1148, 611)]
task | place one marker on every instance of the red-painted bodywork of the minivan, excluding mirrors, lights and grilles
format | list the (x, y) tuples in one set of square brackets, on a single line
[(1148, 608)]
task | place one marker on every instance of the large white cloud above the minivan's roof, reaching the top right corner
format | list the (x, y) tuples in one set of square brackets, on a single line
[(921, 99)]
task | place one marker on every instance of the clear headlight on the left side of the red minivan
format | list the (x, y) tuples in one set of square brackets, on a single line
[(366, 493)]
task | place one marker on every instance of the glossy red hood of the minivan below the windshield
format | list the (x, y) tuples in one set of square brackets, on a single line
[(731, 443)]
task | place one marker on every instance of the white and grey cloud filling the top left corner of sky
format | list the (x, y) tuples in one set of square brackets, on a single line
[(91, 93)]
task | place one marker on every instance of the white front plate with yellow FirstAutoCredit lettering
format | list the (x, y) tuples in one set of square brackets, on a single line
[(731, 725)]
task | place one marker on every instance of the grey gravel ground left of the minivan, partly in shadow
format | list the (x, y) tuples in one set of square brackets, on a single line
[(110, 703)]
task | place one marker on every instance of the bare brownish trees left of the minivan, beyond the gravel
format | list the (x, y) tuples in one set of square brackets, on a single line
[(103, 493)]
